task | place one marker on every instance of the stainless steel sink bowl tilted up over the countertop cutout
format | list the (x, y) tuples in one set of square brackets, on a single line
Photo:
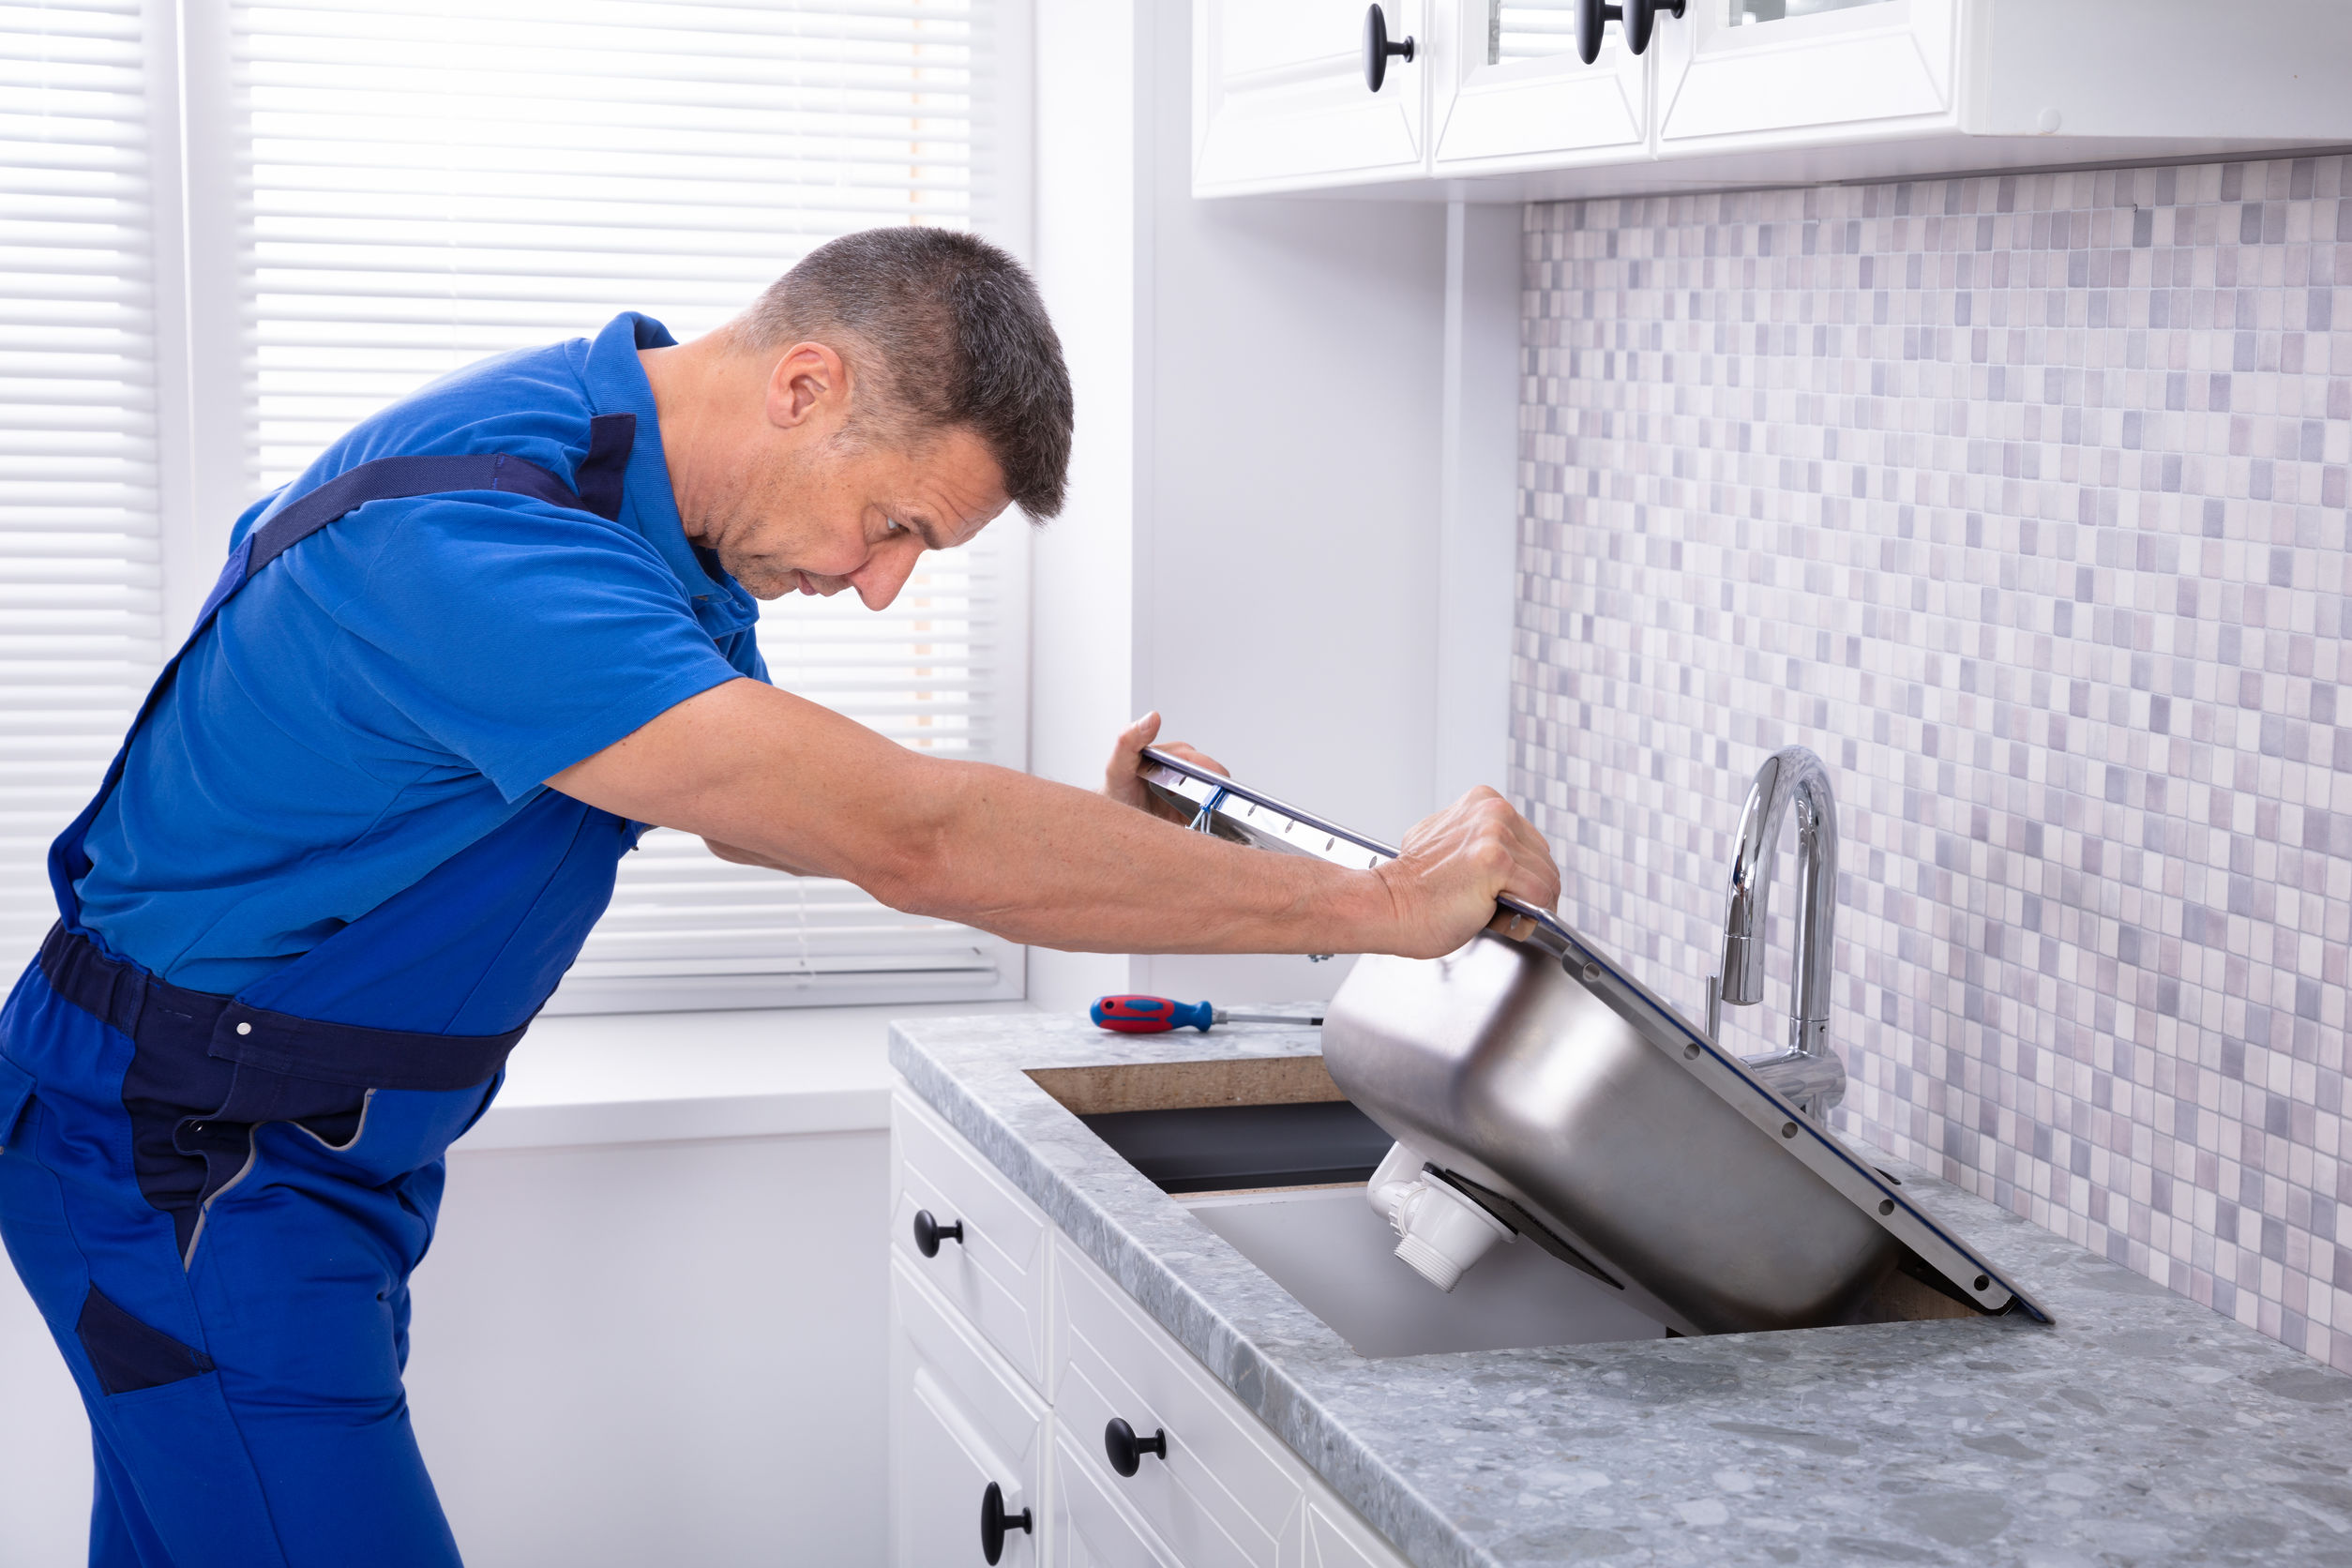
[(1497, 1066)]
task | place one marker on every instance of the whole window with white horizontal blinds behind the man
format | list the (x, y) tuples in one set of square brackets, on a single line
[(380, 194)]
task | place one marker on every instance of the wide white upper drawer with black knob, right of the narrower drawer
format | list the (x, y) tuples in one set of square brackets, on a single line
[(1227, 1494)]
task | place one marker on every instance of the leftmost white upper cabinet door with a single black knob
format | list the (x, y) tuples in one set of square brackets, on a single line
[(1281, 98)]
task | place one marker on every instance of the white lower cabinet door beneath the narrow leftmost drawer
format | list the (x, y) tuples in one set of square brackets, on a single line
[(961, 1423)]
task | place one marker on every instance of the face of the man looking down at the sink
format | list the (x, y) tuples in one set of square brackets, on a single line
[(848, 514)]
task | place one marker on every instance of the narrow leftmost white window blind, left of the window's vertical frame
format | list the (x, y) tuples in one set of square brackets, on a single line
[(81, 612)]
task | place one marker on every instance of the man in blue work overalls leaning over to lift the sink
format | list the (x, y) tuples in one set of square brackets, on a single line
[(375, 805)]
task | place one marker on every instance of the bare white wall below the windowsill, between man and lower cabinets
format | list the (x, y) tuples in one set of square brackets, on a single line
[(660, 1353)]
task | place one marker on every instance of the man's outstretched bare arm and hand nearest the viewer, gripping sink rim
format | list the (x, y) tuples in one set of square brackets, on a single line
[(780, 782)]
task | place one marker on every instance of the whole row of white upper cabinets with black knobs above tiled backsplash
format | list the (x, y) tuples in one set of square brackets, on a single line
[(1504, 105)]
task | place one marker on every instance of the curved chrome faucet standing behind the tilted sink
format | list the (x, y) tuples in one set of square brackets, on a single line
[(1808, 1073)]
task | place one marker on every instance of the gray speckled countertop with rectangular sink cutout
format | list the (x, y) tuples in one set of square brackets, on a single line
[(2141, 1430)]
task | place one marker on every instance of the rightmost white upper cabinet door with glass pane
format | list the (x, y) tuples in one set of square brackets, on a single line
[(1749, 74)]
